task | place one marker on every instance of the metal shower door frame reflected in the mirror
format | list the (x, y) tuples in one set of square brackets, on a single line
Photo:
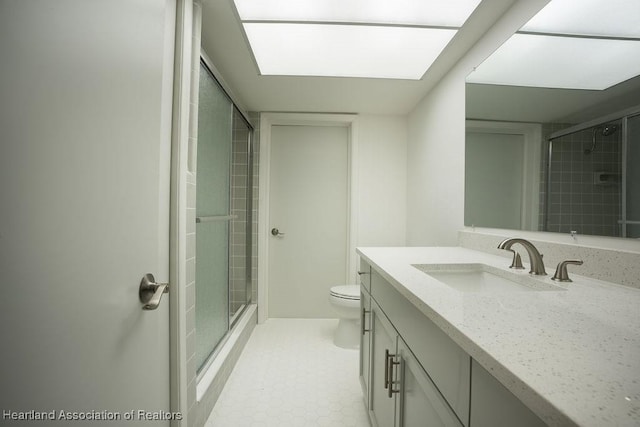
[(621, 116)]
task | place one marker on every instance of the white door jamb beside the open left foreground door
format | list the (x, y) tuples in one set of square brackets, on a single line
[(179, 275)]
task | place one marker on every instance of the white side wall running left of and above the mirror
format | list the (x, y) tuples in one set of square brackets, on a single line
[(435, 147)]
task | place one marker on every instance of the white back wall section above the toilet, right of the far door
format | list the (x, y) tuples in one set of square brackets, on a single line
[(382, 163)]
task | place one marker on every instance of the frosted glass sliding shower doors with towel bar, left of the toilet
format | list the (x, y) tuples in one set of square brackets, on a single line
[(223, 216)]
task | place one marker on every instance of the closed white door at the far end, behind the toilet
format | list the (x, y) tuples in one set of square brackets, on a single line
[(308, 197)]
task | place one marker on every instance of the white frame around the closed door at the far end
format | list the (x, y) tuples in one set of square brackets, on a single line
[(267, 121)]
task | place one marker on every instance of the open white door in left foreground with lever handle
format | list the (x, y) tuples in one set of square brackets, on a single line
[(84, 212)]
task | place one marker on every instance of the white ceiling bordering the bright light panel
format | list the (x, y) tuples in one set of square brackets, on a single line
[(225, 43)]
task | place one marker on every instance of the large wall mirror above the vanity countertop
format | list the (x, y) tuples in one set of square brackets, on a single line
[(554, 159)]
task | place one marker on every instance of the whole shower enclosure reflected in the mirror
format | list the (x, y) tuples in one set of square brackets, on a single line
[(592, 186)]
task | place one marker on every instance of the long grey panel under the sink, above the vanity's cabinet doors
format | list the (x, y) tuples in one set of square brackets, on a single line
[(448, 366)]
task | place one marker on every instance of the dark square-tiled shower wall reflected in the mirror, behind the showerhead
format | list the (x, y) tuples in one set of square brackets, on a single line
[(577, 201)]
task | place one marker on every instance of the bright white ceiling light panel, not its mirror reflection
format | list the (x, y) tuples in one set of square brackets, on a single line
[(350, 38)]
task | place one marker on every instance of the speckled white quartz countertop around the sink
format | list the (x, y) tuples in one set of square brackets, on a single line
[(571, 355)]
